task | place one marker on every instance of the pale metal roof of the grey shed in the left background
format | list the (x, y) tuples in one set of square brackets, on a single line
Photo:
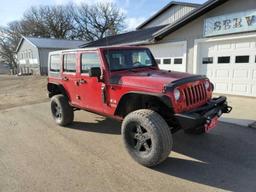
[(50, 43)]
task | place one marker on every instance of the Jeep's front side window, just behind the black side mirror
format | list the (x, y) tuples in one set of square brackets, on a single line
[(89, 60)]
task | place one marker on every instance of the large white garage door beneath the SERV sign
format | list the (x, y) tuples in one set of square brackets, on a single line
[(230, 65)]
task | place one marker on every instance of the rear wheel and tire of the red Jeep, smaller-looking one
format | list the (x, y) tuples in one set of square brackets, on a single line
[(62, 112)]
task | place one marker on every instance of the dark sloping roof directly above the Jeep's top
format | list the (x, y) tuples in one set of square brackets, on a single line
[(134, 37)]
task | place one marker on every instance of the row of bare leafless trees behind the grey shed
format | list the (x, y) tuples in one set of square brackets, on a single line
[(87, 22)]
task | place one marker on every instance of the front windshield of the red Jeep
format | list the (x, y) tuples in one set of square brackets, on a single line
[(129, 59)]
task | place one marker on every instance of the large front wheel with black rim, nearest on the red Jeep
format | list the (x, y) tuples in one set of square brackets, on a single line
[(152, 126)]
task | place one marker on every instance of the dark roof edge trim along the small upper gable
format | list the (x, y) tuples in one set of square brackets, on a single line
[(165, 8)]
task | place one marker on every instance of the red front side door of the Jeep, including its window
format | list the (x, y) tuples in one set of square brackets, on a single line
[(89, 88)]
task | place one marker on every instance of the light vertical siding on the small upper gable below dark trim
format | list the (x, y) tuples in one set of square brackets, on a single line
[(171, 15)]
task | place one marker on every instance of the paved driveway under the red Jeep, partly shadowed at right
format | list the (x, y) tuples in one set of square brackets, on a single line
[(37, 155)]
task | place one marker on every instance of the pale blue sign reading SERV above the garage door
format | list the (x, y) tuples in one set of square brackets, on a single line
[(231, 23)]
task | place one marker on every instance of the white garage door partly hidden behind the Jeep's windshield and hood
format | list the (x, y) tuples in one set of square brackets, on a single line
[(170, 56)]
